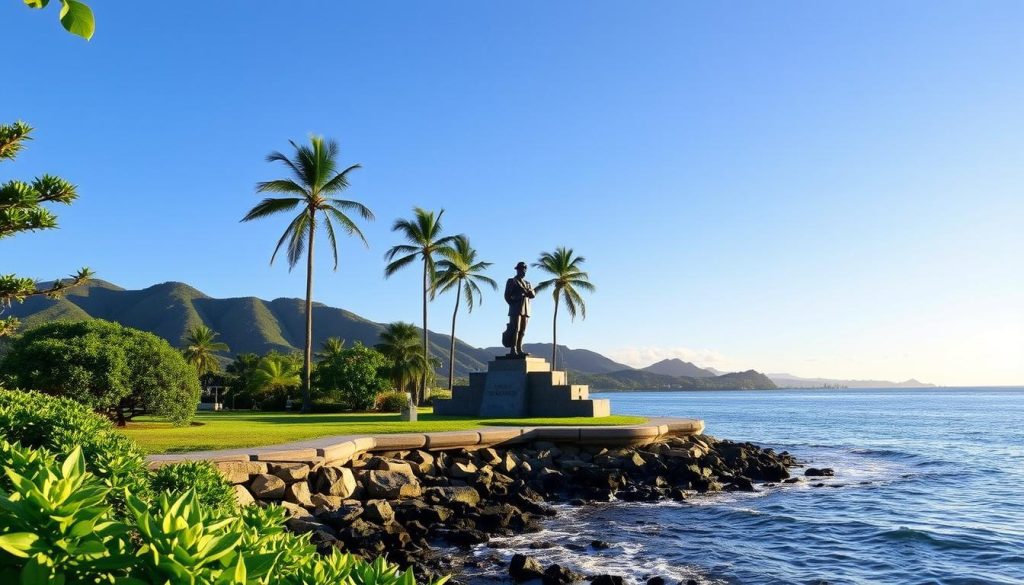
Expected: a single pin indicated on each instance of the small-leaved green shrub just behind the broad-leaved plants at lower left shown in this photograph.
(61, 426)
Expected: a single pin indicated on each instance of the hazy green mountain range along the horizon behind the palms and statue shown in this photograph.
(253, 325)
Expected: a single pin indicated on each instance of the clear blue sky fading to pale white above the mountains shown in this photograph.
(822, 189)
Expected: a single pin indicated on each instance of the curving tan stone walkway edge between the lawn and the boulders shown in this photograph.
(344, 447)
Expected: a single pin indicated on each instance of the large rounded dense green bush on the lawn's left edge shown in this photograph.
(113, 369)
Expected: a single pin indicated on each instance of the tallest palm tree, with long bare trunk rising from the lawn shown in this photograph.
(315, 179)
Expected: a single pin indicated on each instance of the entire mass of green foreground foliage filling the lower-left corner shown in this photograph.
(77, 507)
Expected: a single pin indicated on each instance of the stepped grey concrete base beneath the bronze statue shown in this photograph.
(522, 388)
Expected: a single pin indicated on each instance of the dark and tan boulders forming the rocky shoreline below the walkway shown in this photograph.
(410, 506)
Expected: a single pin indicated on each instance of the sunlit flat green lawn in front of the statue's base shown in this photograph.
(230, 431)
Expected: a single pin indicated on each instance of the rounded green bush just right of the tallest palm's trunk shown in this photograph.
(352, 378)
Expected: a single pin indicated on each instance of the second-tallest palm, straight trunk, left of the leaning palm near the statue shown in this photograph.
(424, 236)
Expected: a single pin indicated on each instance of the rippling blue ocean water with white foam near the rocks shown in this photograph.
(929, 488)
